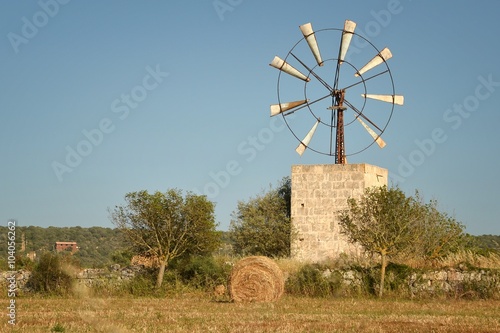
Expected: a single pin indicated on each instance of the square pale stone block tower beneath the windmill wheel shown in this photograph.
(319, 192)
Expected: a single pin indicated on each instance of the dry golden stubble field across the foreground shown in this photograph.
(198, 313)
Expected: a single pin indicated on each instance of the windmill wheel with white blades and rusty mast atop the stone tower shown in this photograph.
(336, 92)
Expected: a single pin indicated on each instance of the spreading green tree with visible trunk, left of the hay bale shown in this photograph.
(167, 225)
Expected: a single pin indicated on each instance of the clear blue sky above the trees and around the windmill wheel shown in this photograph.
(98, 99)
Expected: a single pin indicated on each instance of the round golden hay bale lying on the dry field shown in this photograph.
(256, 279)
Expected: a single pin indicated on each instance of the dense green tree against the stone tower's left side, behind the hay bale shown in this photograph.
(262, 225)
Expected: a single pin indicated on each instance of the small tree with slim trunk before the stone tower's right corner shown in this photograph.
(381, 221)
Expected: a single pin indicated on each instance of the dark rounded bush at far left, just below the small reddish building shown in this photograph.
(50, 276)
